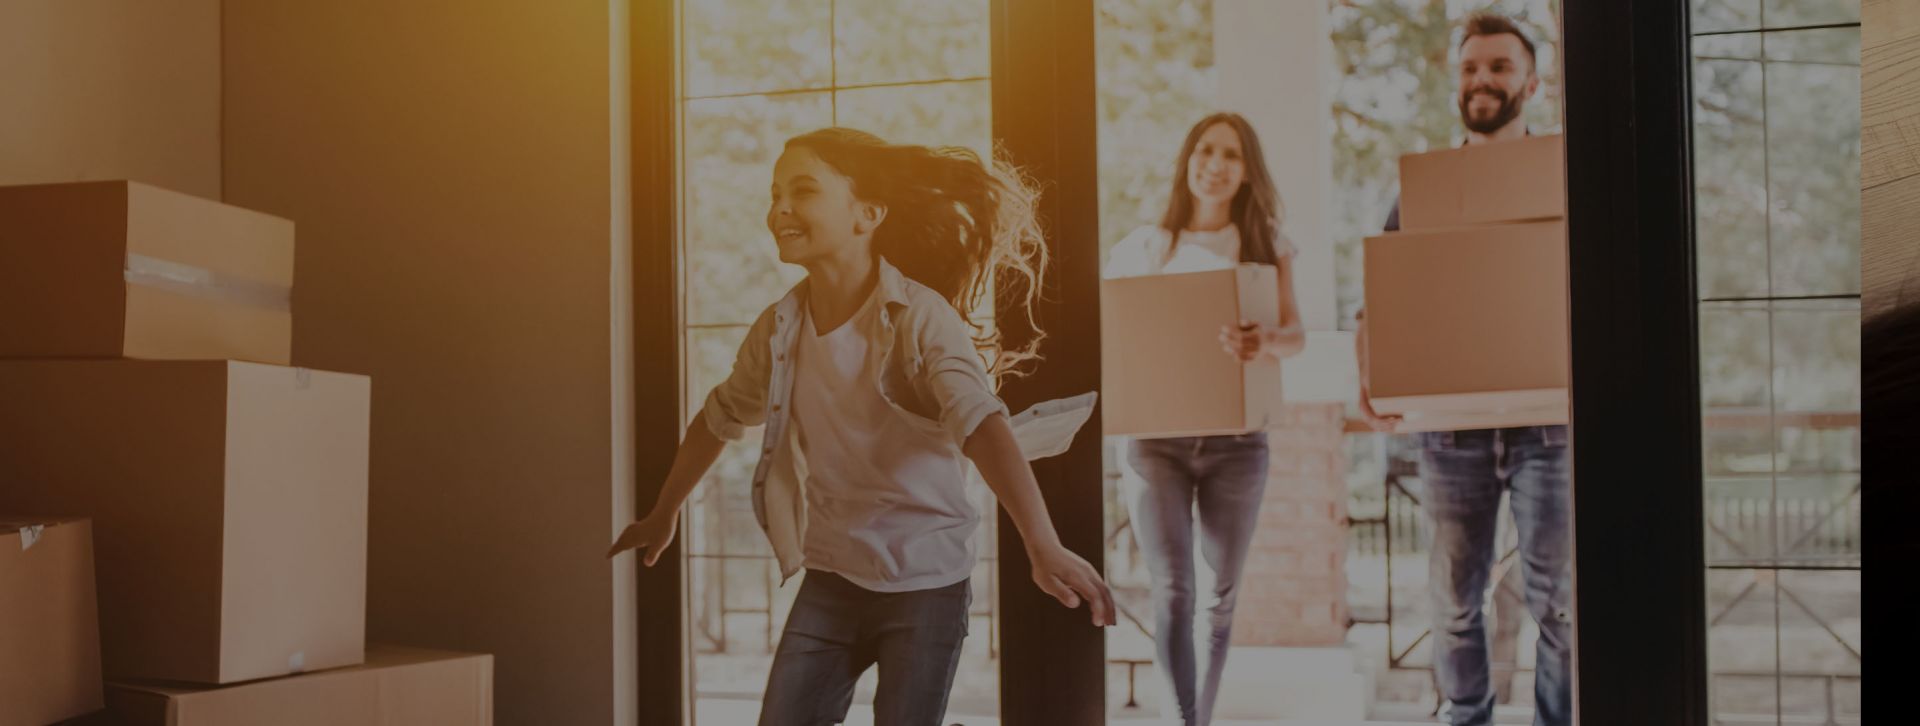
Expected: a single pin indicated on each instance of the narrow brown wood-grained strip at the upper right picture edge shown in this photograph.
(1890, 153)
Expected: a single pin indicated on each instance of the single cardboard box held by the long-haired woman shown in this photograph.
(1164, 372)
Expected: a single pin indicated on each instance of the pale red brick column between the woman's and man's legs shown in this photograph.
(1293, 593)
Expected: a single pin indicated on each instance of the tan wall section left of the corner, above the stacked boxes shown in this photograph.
(112, 89)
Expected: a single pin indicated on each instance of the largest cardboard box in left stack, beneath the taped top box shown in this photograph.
(229, 506)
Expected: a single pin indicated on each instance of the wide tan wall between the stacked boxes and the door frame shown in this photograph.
(450, 172)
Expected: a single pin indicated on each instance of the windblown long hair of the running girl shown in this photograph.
(955, 224)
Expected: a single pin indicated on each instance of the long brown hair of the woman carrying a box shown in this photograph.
(1257, 205)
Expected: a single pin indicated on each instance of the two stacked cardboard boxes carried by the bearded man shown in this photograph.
(1468, 302)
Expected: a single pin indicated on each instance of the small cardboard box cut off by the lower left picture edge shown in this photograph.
(49, 621)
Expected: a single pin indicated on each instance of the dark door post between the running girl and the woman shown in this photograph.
(1053, 669)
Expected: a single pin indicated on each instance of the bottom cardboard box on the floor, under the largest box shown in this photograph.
(396, 687)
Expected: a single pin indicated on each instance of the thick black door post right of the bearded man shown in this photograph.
(1637, 418)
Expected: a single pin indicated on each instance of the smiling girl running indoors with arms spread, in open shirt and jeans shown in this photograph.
(875, 397)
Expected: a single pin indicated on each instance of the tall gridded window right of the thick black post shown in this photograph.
(1781, 377)
